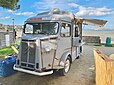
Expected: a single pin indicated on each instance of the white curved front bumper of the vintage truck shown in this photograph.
(33, 72)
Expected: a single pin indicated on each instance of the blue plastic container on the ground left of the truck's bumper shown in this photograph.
(6, 66)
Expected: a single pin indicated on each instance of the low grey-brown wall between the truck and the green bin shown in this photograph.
(91, 39)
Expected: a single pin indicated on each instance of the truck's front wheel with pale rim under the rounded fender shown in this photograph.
(66, 68)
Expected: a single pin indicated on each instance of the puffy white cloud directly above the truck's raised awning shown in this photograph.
(92, 11)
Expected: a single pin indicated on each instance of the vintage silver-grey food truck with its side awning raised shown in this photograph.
(51, 41)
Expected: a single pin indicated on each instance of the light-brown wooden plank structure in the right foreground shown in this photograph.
(104, 69)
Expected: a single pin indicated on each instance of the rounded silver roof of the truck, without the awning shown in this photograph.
(51, 15)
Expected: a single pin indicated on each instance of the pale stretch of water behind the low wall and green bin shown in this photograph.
(102, 33)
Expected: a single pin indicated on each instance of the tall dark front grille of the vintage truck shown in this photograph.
(28, 49)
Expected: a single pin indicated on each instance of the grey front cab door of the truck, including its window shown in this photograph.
(64, 40)
